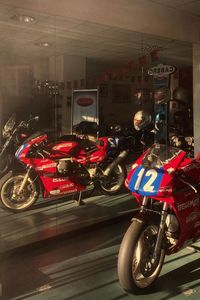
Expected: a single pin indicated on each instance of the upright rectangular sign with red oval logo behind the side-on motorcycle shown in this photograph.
(85, 106)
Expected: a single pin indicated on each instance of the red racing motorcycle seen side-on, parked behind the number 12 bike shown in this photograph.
(60, 168)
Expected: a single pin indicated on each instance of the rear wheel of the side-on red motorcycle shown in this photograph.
(114, 183)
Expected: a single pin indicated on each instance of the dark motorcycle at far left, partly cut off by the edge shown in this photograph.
(14, 134)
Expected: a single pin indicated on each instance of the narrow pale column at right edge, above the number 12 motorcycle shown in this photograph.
(196, 96)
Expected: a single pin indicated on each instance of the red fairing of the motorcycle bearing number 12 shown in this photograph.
(179, 178)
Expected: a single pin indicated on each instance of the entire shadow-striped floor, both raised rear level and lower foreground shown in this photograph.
(81, 264)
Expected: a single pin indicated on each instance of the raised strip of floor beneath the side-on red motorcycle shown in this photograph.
(49, 218)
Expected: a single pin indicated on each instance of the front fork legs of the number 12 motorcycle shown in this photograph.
(162, 225)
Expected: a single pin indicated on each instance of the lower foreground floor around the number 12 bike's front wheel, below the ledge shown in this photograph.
(84, 268)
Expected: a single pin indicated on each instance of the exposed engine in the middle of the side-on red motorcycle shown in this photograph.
(68, 167)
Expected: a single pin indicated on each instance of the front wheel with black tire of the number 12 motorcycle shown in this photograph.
(138, 274)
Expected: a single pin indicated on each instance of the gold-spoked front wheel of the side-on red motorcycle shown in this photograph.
(11, 198)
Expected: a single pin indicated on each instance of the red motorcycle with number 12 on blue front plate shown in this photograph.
(166, 184)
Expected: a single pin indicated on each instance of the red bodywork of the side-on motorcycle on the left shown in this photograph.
(44, 158)
